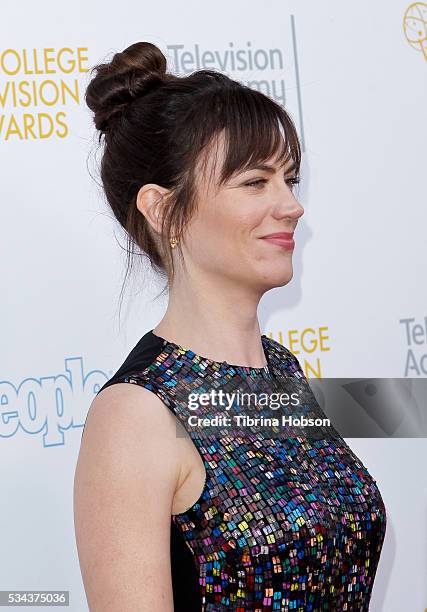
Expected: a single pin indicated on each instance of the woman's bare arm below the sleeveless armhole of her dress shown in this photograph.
(126, 475)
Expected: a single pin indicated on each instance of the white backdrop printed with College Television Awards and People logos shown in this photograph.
(353, 76)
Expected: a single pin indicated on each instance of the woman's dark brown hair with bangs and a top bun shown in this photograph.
(158, 128)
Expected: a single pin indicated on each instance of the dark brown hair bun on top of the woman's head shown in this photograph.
(131, 74)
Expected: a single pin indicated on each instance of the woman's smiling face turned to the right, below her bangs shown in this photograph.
(225, 235)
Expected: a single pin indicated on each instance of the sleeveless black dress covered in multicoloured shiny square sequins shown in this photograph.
(289, 523)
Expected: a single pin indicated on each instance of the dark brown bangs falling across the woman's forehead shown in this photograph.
(255, 129)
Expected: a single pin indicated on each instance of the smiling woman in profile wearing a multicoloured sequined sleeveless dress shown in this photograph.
(200, 172)
